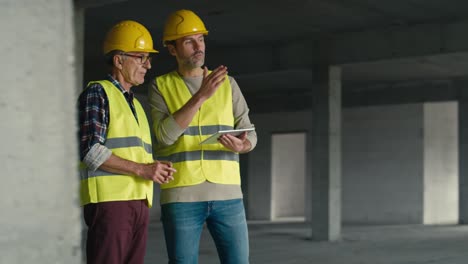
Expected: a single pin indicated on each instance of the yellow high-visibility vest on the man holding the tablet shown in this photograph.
(197, 163)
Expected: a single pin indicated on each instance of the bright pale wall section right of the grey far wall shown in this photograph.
(441, 163)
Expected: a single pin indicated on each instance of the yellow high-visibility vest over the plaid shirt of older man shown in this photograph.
(128, 139)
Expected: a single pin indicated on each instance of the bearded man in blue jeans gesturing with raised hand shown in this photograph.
(187, 106)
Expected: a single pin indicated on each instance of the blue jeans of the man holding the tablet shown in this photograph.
(183, 225)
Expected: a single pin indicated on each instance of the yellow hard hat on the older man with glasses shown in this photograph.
(128, 36)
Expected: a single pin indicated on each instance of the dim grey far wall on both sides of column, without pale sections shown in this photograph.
(382, 163)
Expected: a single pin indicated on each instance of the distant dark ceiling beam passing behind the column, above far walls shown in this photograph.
(361, 95)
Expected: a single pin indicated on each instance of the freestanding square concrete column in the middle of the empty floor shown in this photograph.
(324, 149)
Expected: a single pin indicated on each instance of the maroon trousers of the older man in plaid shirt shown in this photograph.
(117, 232)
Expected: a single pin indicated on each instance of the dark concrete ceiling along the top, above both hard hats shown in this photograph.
(246, 21)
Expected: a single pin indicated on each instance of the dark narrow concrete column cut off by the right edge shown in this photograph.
(463, 151)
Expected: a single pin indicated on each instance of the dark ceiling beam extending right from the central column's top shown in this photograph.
(400, 42)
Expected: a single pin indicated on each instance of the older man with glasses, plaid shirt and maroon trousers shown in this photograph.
(117, 167)
